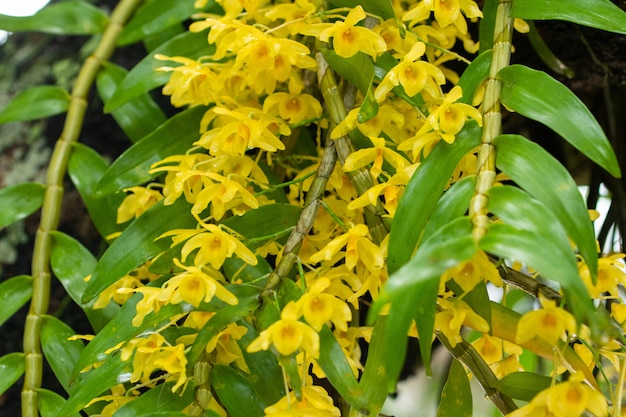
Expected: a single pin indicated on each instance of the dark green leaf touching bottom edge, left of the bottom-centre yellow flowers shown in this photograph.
(236, 393)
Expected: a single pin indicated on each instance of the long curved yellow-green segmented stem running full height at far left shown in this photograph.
(52, 205)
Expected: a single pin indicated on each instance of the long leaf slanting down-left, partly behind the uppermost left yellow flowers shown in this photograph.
(145, 77)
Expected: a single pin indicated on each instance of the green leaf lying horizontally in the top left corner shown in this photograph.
(70, 17)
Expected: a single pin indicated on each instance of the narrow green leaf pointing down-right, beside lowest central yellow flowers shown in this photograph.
(335, 365)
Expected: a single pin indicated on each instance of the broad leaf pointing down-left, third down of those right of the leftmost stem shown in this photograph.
(138, 243)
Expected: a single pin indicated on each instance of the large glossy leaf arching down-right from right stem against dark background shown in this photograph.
(540, 97)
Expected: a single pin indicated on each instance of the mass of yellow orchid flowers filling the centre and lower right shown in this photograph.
(267, 80)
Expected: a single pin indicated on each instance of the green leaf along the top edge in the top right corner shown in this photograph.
(599, 14)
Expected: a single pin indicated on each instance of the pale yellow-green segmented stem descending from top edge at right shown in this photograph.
(492, 119)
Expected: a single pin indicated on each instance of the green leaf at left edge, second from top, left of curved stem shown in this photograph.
(36, 103)
